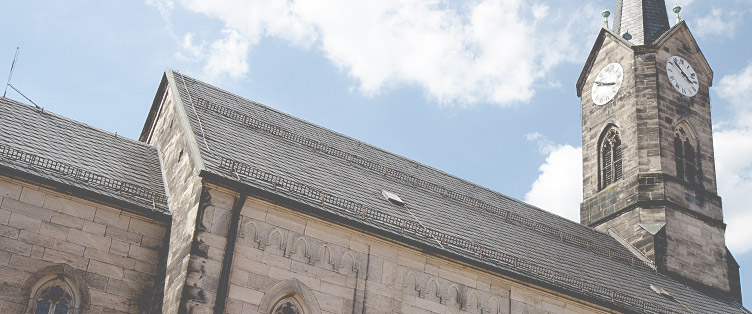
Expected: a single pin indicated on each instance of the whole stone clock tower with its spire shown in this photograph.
(648, 161)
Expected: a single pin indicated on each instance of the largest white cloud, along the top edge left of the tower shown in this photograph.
(490, 51)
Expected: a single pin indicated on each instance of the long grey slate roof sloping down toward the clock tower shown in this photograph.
(298, 160)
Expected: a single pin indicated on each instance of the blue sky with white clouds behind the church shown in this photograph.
(484, 90)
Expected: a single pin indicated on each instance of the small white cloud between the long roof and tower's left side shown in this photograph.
(558, 188)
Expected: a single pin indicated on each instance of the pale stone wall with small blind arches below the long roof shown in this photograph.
(280, 253)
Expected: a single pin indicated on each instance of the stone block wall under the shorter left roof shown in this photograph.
(113, 252)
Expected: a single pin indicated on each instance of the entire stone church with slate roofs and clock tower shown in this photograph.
(225, 205)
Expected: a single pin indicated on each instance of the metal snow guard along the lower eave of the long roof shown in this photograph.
(455, 243)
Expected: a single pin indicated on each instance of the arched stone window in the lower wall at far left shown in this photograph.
(57, 289)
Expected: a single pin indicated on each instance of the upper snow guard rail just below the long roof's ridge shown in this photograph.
(619, 253)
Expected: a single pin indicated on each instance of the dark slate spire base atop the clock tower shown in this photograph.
(641, 21)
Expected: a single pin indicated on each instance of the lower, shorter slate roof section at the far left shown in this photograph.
(41, 144)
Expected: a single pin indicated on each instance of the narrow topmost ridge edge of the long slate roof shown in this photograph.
(388, 152)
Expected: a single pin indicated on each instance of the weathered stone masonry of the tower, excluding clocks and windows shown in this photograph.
(647, 111)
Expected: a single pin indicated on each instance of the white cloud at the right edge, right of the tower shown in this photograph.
(733, 153)
